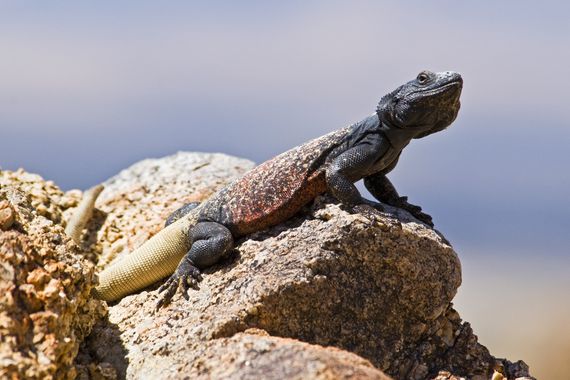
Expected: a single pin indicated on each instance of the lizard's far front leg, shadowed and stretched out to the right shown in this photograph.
(382, 189)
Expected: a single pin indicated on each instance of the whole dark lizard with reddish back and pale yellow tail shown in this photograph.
(198, 235)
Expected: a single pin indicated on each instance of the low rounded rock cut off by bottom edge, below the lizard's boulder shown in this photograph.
(245, 356)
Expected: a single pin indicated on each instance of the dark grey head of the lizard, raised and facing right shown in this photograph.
(428, 104)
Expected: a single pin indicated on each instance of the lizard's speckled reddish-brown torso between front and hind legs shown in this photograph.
(276, 189)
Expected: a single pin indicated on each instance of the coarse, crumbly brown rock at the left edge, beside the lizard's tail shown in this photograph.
(45, 304)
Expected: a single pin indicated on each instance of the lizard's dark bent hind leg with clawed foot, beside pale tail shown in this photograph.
(209, 241)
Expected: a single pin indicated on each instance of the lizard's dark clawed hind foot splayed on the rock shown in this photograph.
(186, 276)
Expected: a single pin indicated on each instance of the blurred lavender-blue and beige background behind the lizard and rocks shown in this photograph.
(88, 89)
